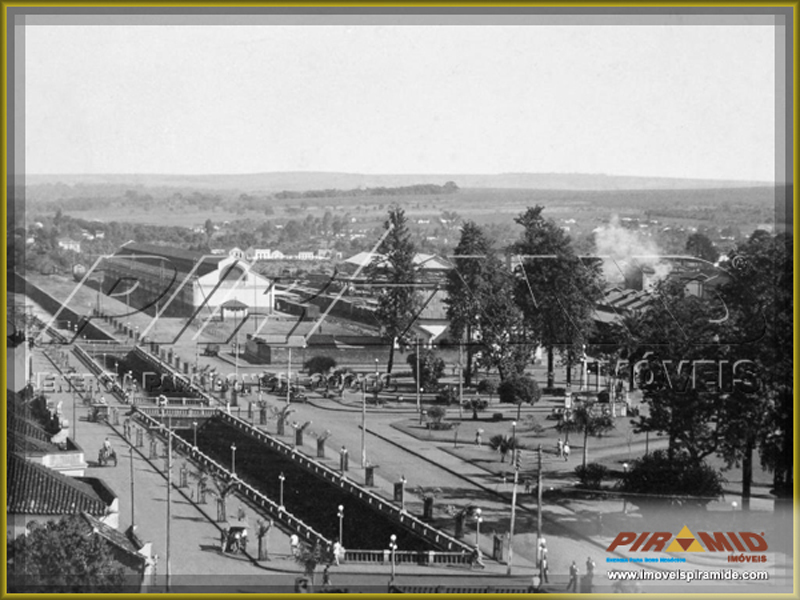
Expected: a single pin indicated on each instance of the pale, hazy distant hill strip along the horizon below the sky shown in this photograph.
(301, 181)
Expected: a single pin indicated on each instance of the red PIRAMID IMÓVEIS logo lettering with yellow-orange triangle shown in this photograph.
(686, 541)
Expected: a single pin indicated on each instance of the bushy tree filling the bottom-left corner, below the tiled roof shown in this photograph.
(62, 557)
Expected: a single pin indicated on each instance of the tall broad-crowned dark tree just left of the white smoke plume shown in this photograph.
(556, 290)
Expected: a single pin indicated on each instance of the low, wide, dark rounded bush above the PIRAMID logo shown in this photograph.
(677, 480)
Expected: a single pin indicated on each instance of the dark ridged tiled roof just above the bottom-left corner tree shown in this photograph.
(37, 490)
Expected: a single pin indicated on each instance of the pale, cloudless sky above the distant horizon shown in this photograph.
(672, 101)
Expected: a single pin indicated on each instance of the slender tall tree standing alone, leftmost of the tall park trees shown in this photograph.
(397, 302)
